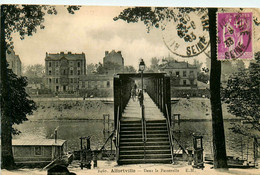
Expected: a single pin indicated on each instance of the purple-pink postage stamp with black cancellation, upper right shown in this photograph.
(235, 36)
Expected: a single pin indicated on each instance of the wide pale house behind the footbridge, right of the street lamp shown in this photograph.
(183, 75)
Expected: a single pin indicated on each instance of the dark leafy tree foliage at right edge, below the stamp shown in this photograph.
(242, 94)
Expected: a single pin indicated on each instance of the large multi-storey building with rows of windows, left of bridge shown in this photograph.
(63, 71)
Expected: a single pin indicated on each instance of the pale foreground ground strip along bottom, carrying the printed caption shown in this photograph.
(110, 167)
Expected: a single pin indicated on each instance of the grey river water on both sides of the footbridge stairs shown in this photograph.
(72, 130)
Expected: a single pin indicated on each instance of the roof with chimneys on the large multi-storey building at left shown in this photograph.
(69, 56)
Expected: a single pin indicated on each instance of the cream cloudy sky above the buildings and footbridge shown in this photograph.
(93, 31)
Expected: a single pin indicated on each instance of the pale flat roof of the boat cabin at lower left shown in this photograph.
(37, 142)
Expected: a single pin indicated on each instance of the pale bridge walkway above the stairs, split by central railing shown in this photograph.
(133, 110)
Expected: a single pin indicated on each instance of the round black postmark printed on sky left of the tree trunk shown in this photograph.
(187, 34)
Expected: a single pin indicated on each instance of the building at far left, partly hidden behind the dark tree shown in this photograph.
(14, 62)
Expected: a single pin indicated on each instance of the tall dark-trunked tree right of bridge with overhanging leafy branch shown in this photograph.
(152, 18)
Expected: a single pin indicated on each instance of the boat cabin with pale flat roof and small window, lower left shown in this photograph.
(38, 150)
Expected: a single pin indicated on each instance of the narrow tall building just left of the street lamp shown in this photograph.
(113, 62)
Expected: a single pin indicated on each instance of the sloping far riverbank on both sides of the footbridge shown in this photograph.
(93, 109)
